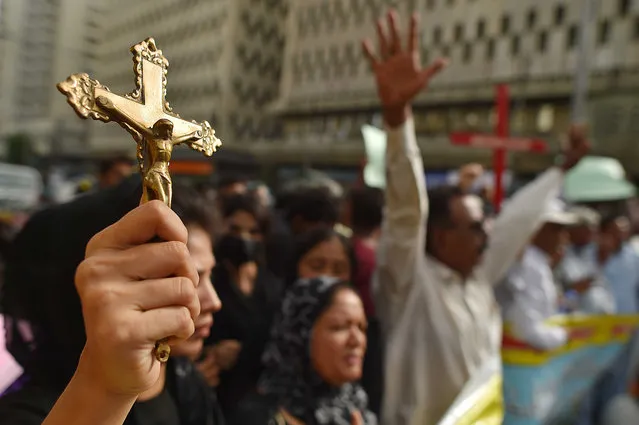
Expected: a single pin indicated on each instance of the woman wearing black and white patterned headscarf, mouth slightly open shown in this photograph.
(314, 358)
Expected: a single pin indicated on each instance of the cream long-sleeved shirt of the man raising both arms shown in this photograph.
(439, 329)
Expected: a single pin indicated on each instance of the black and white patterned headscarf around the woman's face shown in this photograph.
(289, 376)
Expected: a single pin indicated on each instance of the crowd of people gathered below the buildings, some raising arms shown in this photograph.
(277, 315)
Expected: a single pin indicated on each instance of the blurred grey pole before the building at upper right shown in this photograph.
(582, 71)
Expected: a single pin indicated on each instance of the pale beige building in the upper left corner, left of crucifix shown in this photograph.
(42, 42)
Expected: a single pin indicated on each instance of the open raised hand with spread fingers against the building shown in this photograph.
(399, 73)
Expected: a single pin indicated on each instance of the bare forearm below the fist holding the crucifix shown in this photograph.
(82, 403)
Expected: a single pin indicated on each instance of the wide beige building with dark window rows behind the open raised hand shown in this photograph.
(327, 91)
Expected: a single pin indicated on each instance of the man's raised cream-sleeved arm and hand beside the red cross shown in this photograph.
(522, 216)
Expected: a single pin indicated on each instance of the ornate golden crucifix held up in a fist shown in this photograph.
(145, 114)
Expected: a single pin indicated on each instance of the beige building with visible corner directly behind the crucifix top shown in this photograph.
(224, 58)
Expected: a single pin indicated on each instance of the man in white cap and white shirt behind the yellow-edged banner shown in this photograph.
(535, 296)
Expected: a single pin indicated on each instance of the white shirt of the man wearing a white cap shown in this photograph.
(535, 299)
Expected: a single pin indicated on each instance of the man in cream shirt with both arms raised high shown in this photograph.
(435, 298)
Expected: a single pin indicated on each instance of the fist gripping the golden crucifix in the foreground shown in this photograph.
(134, 293)
